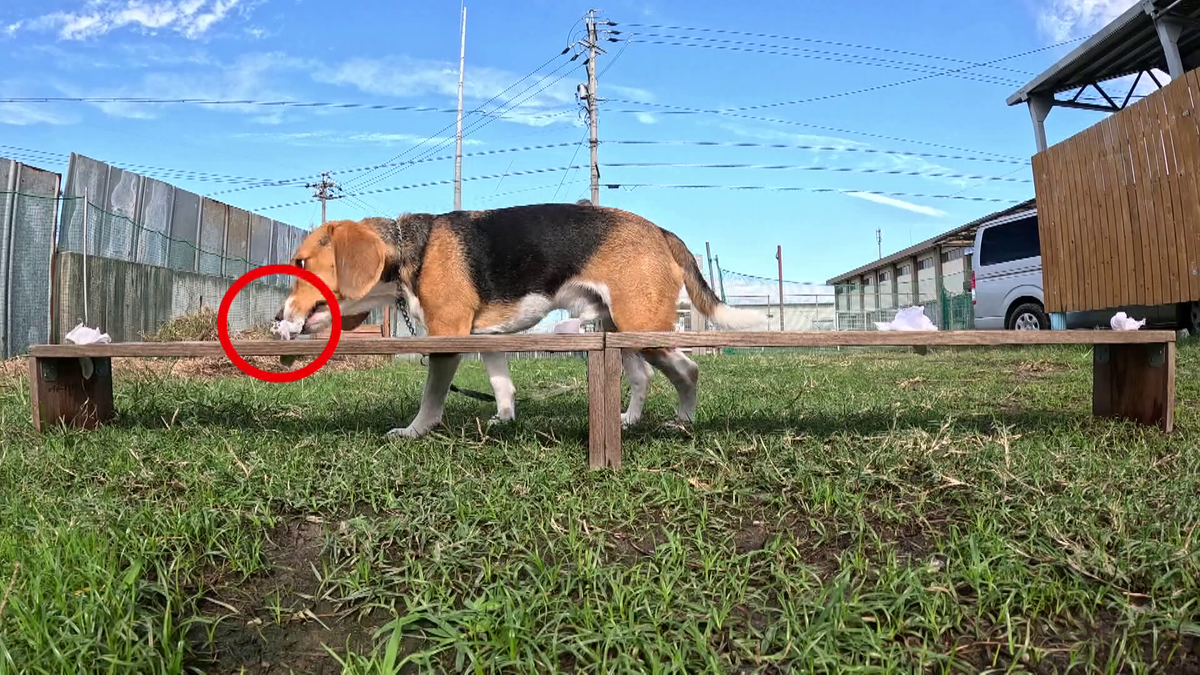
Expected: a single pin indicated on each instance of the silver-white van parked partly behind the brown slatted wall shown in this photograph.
(1006, 284)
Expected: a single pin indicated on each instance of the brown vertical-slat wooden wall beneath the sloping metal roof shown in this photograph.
(1119, 206)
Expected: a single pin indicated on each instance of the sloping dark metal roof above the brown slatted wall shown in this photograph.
(1127, 46)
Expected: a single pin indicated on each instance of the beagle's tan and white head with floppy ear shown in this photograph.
(350, 258)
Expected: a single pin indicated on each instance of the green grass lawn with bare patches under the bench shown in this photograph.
(838, 511)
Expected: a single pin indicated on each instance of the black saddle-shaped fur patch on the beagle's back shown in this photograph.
(521, 250)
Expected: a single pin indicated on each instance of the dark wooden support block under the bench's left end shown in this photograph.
(61, 393)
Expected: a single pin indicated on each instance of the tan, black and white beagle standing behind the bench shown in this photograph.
(502, 272)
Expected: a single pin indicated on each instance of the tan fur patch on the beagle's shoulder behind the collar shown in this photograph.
(448, 297)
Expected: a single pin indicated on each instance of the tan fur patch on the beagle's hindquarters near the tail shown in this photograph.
(644, 280)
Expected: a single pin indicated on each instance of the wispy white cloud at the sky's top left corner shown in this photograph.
(190, 19)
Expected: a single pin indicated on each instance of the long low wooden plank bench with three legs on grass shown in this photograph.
(1133, 372)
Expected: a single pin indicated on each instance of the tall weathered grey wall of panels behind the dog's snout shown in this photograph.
(157, 252)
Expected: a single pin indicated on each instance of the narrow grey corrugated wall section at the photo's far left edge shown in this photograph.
(28, 217)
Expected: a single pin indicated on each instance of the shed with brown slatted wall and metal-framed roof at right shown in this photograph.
(1119, 204)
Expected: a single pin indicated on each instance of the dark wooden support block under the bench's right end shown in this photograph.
(1135, 383)
